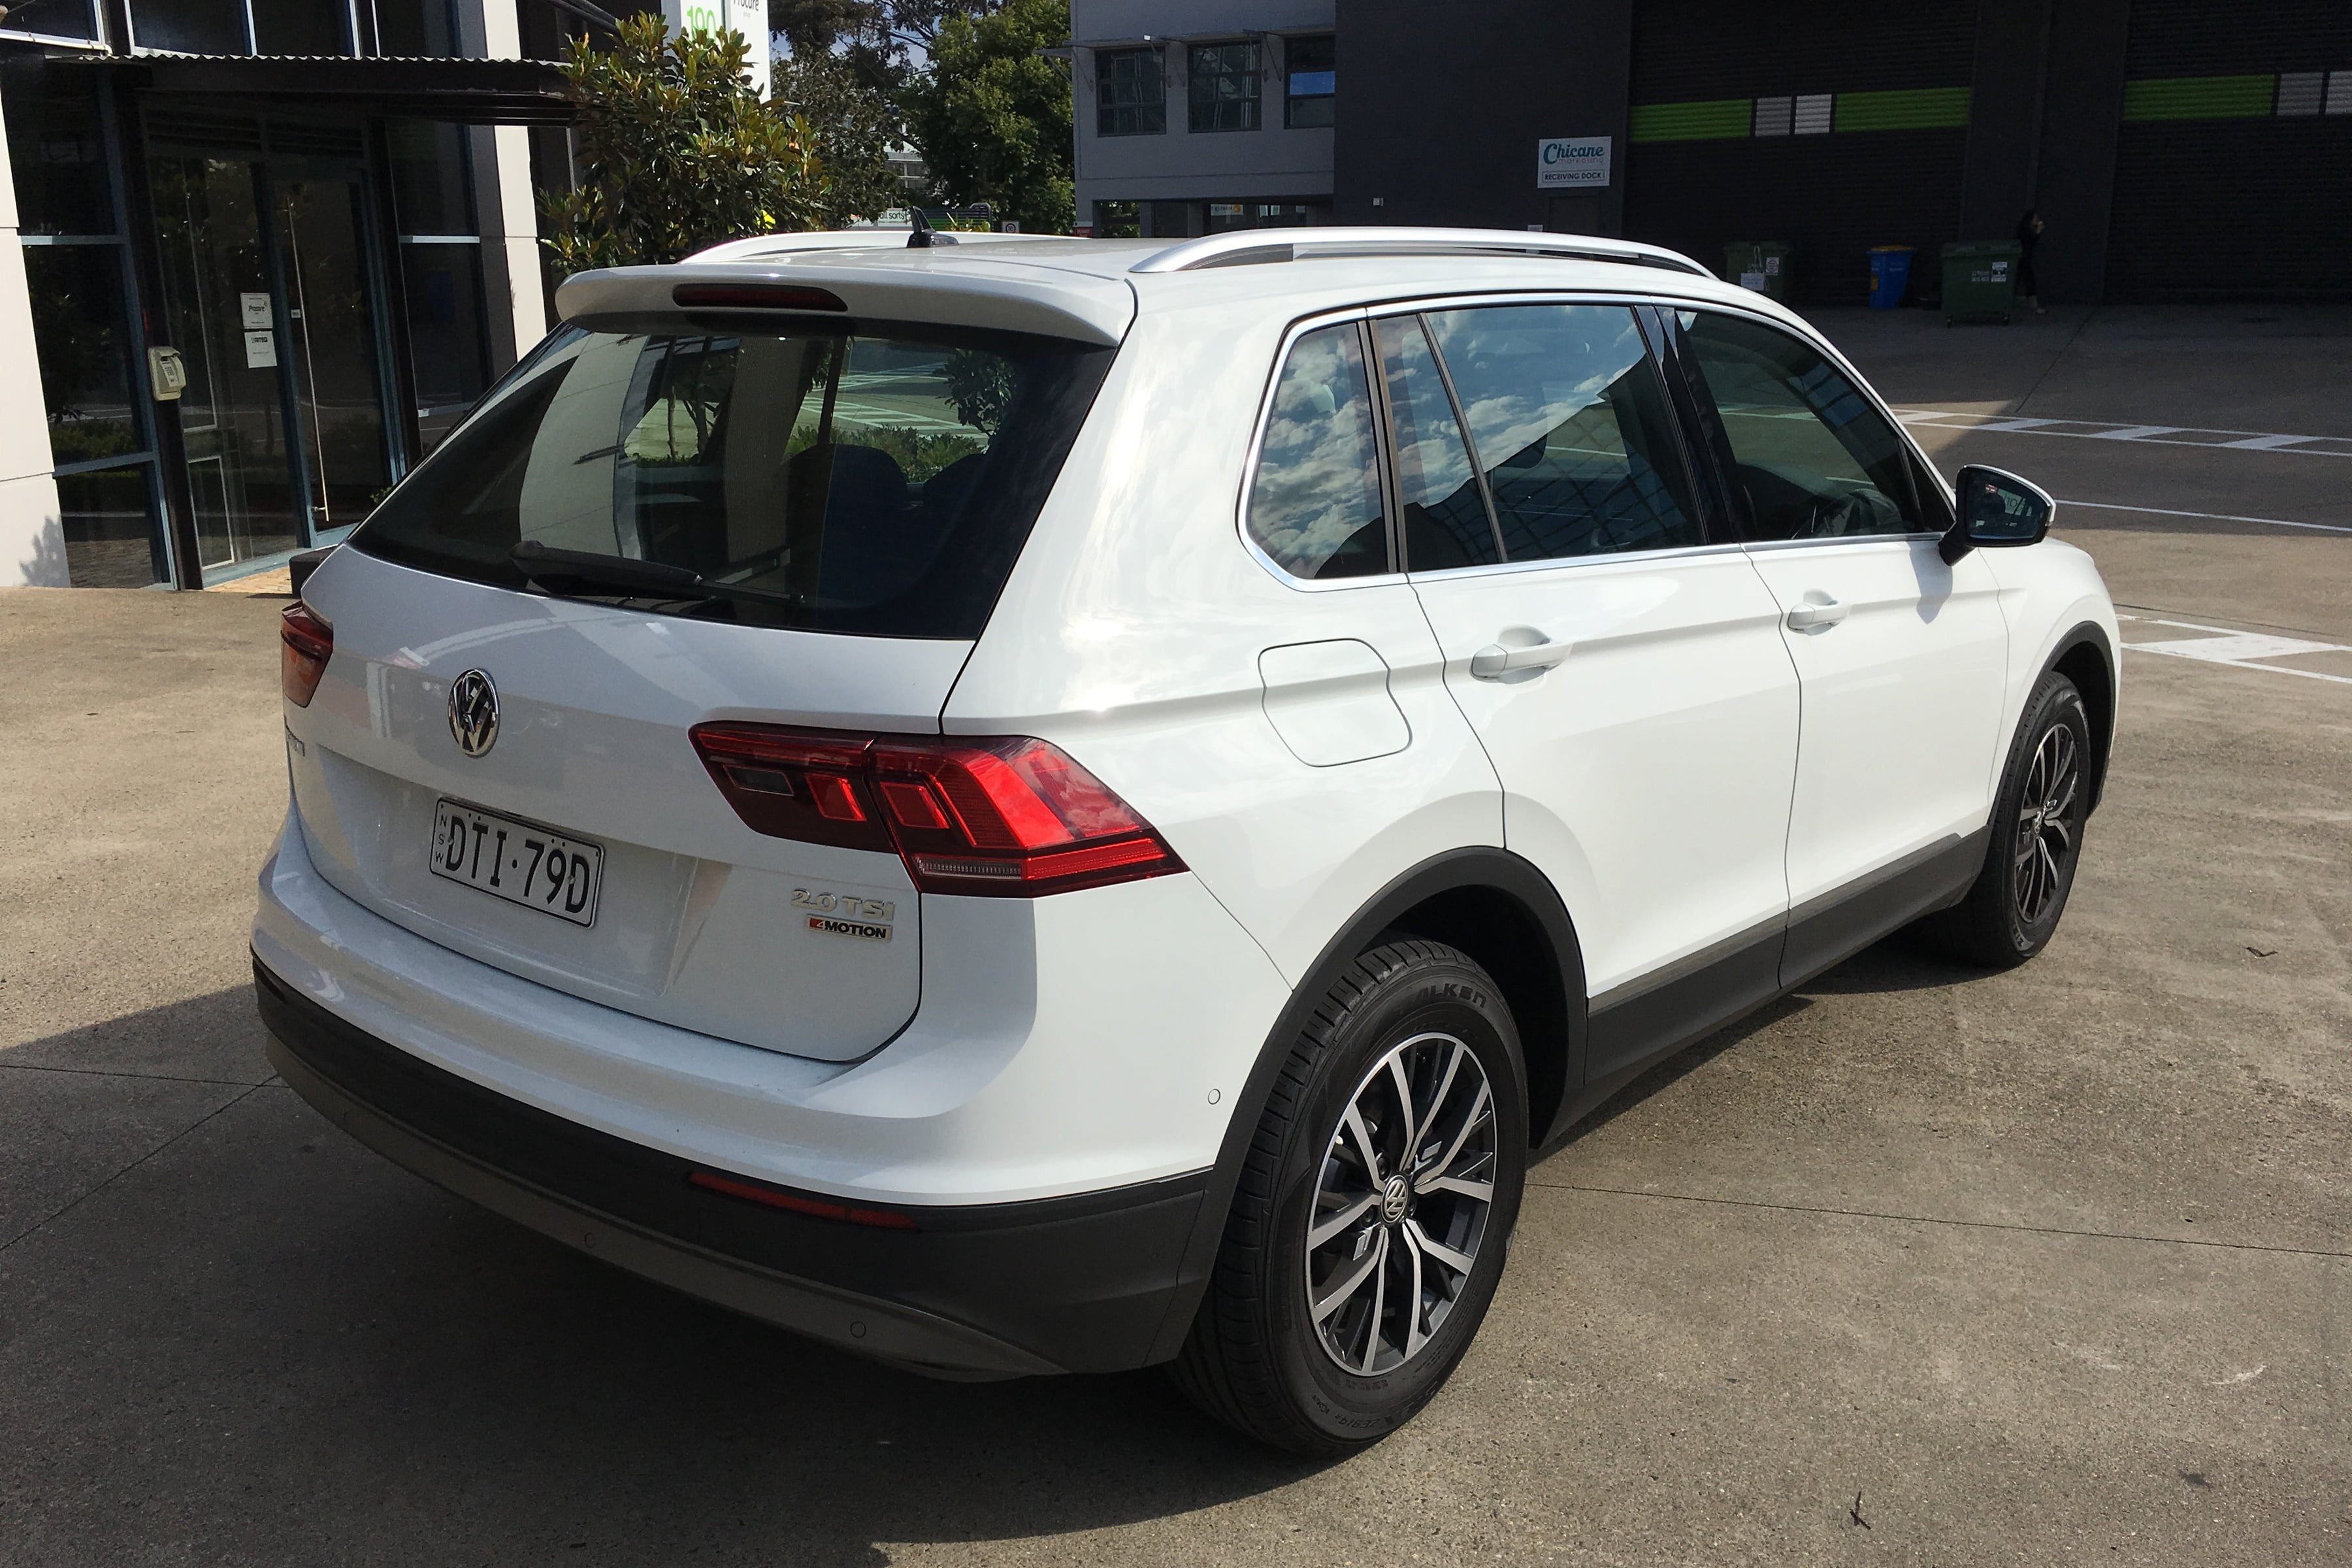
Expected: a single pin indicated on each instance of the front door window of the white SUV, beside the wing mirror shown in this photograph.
(1815, 460)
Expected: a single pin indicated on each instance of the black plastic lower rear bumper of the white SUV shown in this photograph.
(973, 1292)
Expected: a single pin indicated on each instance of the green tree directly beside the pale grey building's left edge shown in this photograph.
(994, 119)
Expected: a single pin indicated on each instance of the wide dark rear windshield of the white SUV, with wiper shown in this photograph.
(860, 481)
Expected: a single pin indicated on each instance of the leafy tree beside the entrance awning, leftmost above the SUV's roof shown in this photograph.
(676, 152)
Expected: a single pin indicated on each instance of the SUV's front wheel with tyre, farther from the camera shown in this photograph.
(2038, 817)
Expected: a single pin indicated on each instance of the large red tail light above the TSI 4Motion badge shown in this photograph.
(998, 817)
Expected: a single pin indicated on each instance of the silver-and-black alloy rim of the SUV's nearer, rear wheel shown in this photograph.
(1401, 1205)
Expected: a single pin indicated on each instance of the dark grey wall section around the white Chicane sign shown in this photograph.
(1443, 107)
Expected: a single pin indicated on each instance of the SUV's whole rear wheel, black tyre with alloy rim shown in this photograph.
(1259, 1358)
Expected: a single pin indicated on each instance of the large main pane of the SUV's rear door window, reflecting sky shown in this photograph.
(1568, 420)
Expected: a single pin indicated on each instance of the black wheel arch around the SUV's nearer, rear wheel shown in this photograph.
(1490, 904)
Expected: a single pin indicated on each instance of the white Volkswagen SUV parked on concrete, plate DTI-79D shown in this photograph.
(1067, 805)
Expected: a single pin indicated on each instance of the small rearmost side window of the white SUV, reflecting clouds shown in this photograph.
(1316, 504)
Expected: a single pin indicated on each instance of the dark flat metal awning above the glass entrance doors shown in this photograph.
(467, 91)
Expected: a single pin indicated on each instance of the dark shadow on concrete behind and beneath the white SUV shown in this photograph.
(265, 1308)
